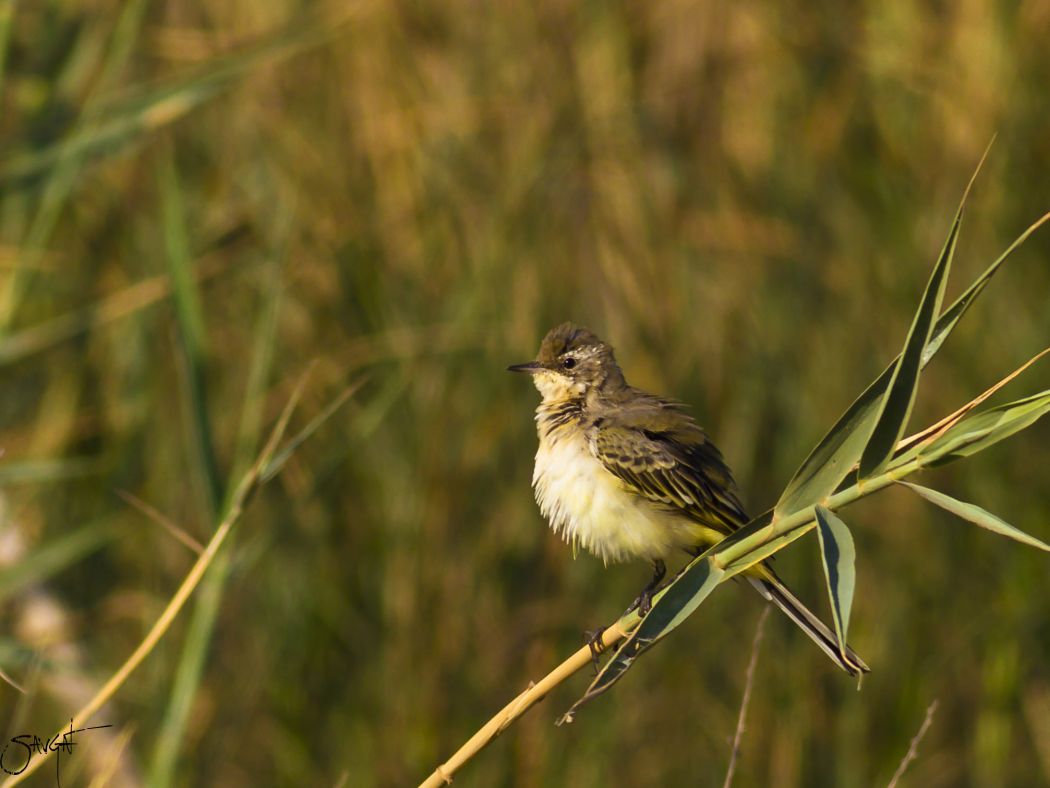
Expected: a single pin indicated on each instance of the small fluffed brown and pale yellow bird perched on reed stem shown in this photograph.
(626, 474)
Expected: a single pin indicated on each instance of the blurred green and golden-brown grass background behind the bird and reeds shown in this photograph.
(198, 201)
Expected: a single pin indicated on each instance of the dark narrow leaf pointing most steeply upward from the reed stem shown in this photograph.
(896, 406)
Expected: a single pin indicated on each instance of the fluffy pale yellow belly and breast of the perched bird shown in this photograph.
(591, 508)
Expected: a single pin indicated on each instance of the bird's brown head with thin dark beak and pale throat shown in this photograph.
(572, 363)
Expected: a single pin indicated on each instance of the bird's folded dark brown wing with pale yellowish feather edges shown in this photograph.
(662, 454)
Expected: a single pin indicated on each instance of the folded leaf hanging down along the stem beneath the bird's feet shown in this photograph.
(673, 607)
